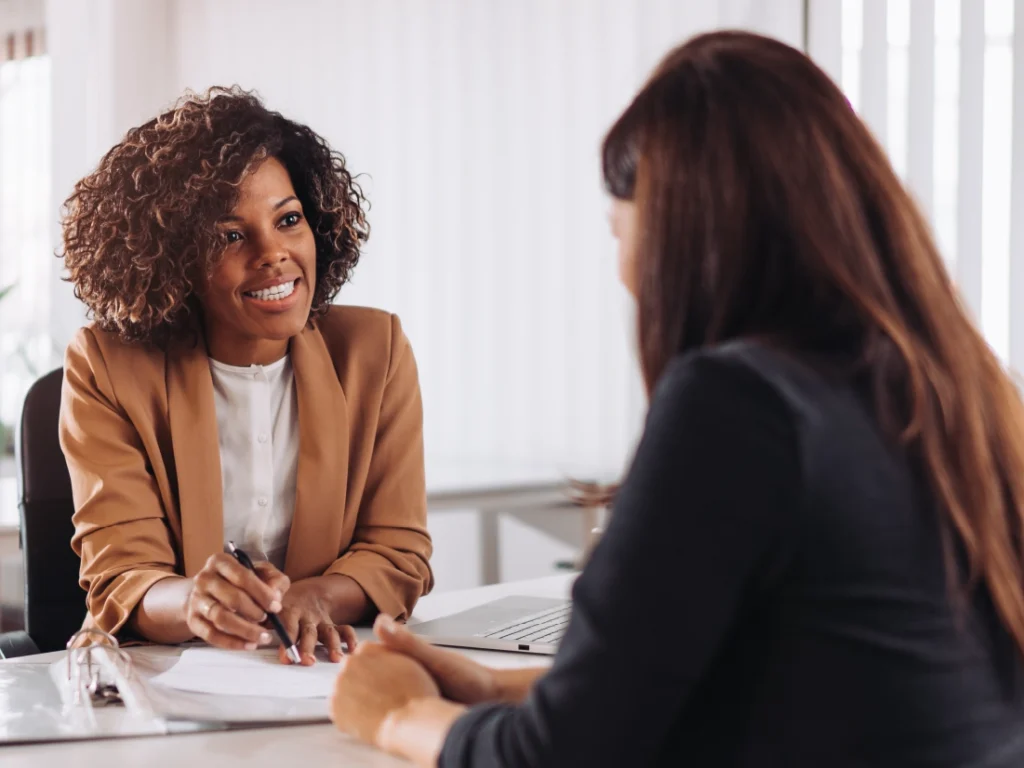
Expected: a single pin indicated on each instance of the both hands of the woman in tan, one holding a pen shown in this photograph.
(229, 605)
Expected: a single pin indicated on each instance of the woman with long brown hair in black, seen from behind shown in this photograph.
(817, 557)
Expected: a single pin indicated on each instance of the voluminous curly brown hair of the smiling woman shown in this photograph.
(140, 232)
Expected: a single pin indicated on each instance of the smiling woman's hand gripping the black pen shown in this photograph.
(229, 604)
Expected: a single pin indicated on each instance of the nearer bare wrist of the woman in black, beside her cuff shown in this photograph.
(417, 732)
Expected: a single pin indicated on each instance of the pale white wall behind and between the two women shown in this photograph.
(478, 125)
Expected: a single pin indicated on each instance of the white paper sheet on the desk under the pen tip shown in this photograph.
(242, 673)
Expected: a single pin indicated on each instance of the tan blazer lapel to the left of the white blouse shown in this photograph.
(197, 453)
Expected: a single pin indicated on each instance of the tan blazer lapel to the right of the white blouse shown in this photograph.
(323, 472)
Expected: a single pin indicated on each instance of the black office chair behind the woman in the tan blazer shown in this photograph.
(55, 605)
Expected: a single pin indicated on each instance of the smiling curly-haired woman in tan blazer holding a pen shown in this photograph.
(220, 397)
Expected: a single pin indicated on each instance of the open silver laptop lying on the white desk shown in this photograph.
(523, 625)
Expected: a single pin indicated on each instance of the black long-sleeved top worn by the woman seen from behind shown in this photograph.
(771, 592)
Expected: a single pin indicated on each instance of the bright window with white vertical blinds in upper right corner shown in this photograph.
(934, 79)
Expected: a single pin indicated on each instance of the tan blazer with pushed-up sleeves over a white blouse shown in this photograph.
(139, 429)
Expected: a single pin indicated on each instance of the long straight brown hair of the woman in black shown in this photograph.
(767, 209)
